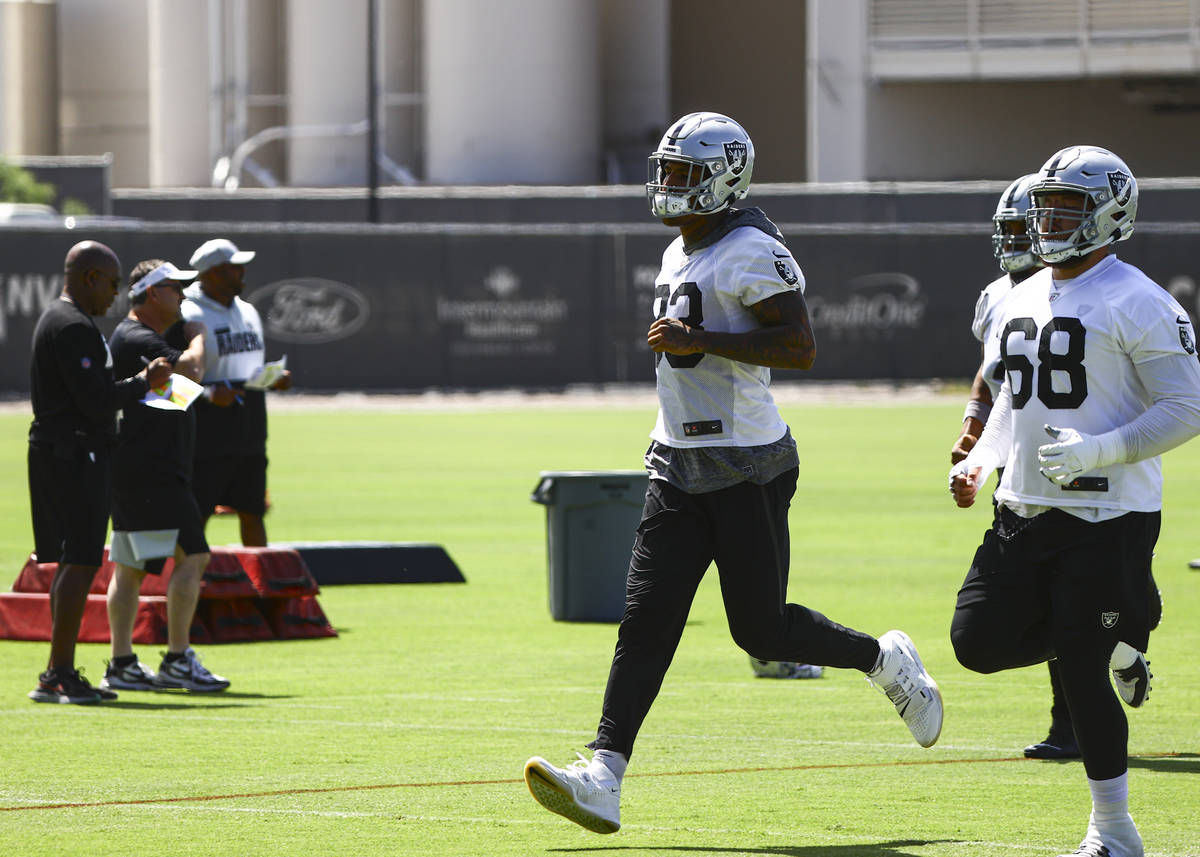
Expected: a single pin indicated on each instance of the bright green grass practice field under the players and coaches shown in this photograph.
(407, 734)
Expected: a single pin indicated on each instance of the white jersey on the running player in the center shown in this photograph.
(706, 400)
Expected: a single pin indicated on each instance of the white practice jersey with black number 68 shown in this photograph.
(1072, 352)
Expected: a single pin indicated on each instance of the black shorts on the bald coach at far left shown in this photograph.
(70, 490)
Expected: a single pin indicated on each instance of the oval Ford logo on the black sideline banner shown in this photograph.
(310, 310)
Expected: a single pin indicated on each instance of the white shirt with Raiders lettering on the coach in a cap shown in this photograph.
(235, 349)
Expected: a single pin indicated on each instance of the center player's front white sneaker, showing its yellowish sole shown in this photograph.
(586, 794)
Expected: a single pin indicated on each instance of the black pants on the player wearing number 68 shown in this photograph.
(1058, 586)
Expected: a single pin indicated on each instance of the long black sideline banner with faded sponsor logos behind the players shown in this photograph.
(461, 307)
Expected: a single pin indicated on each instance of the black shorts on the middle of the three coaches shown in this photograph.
(146, 499)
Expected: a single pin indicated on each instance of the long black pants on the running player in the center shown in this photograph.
(745, 531)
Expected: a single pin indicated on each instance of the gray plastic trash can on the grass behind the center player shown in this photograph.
(591, 520)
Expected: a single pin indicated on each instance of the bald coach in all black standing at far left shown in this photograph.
(75, 401)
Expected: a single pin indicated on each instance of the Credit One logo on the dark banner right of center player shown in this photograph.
(871, 307)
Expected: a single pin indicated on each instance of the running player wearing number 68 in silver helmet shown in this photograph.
(1101, 380)
